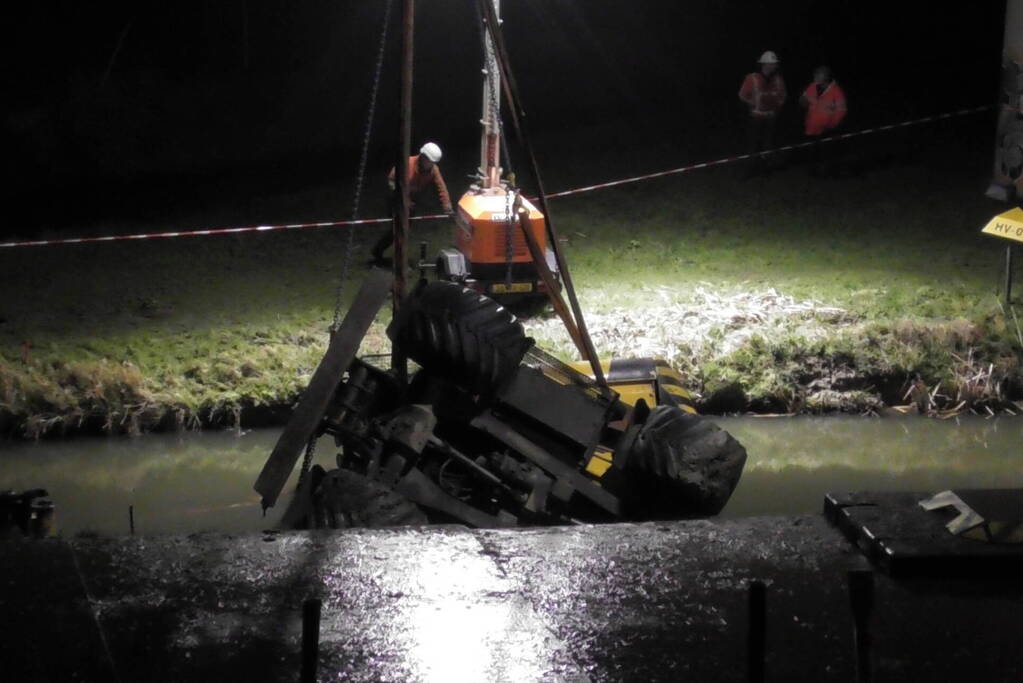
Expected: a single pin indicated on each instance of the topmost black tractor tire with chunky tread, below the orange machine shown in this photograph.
(468, 338)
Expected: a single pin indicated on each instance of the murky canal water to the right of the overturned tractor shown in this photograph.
(794, 463)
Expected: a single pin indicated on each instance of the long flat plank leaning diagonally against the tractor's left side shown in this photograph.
(306, 419)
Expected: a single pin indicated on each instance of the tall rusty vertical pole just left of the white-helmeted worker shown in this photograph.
(398, 358)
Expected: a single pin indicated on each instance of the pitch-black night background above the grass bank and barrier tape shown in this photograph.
(274, 95)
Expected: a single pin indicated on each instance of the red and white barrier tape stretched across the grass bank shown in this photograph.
(579, 191)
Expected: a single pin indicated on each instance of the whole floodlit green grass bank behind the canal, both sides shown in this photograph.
(780, 294)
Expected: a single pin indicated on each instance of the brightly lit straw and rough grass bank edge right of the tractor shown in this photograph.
(770, 353)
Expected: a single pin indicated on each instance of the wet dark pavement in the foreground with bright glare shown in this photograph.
(642, 603)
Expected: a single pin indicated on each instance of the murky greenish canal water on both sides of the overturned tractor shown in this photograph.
(197, 482)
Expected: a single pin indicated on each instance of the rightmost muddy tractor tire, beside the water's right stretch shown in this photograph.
(682, 466)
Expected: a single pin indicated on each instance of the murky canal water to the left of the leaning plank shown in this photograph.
(176, 483)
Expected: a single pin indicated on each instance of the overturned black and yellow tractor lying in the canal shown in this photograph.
(493, 432)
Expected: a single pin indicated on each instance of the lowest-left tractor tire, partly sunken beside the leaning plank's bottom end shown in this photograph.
(345, 500)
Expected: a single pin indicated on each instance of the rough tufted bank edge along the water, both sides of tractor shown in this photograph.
(760, 352)
